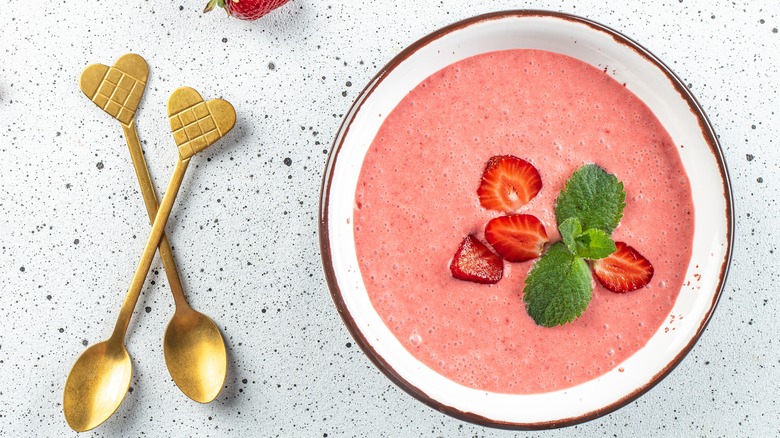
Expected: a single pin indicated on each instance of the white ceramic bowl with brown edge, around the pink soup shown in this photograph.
(646, 77)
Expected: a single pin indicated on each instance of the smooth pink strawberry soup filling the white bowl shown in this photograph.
(416, 200)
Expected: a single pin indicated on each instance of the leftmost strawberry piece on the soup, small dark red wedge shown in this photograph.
(474, 261)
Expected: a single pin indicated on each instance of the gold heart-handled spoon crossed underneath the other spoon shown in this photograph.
(193, 345)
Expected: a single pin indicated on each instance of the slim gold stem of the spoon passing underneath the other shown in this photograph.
(150, 200)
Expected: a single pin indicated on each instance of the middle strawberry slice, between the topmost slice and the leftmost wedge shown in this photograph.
(517, 237)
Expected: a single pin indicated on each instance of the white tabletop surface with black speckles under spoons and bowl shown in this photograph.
(245, 227)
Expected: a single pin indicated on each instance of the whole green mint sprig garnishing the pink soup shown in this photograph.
(559, 287)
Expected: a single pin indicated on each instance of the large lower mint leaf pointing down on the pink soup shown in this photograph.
(558, 287)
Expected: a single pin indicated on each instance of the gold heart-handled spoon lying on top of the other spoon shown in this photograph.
(100, 378)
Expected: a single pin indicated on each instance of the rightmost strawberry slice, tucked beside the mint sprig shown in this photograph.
(623, 271)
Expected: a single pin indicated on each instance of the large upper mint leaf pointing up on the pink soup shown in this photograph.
(593, 196)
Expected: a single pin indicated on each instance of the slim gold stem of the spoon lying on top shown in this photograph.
(155, 236)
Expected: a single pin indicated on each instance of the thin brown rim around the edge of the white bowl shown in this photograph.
(379, 361)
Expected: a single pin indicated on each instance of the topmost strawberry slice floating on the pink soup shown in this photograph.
(508, 183)
